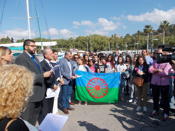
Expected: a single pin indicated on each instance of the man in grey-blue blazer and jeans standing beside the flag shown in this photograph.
(66, 89)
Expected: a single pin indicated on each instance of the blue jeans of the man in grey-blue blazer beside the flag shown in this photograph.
(64, 96)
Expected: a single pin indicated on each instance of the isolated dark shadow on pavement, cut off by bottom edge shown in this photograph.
(90, 126)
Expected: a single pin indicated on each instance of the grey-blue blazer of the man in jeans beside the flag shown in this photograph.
(65, 71)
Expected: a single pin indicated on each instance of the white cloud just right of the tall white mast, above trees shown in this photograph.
(62, 33)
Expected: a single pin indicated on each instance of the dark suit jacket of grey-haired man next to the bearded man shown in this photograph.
(49, 81)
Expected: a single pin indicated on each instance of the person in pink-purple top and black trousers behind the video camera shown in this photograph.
(160, 82)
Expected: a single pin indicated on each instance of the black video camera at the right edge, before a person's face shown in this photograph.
(161, 58)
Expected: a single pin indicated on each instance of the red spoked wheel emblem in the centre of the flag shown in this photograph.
(97, 87)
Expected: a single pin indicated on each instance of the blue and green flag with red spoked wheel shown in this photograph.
(97, 87)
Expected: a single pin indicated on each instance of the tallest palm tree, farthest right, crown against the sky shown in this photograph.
(164, 25)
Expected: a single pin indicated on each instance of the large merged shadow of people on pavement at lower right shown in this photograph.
(131, 121)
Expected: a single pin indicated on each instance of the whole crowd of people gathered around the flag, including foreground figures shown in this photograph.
(53, 74)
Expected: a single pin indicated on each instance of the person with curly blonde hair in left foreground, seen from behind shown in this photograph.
(16, 85)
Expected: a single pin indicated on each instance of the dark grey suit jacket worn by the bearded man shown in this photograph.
(38, 89)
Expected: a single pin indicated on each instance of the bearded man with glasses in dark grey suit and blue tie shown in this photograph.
(28, 59)
